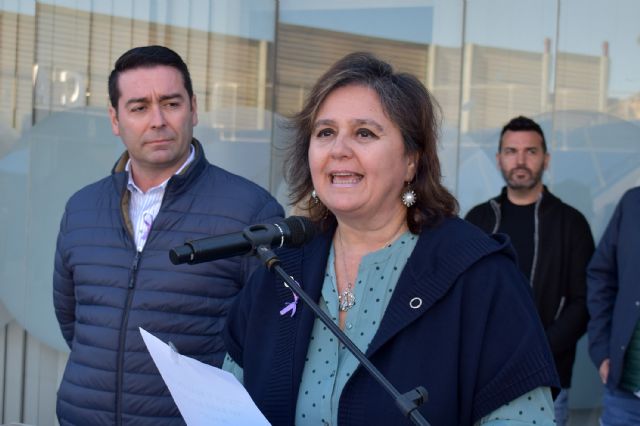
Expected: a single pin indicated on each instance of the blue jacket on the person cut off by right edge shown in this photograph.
(613, 281)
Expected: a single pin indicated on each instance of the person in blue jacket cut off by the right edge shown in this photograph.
(614, 305)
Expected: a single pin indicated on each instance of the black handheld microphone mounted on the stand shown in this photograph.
(293, 231)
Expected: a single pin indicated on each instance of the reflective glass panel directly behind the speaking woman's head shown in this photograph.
(420, 37)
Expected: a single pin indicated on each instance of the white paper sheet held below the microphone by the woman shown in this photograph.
(205, 395)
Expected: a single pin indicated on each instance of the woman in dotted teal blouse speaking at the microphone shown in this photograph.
(430, 299)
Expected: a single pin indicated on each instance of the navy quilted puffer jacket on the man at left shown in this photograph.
(104, 289)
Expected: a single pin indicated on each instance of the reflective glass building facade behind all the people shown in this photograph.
(572, 65)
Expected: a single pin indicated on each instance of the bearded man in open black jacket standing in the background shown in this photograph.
(552, 239)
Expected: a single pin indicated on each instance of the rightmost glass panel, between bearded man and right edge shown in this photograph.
(596, 132)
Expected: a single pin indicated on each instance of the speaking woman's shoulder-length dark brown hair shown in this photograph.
(408, 104)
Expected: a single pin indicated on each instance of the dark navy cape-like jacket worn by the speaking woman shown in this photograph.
(475, 343)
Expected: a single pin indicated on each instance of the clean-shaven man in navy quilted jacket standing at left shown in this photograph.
(112, 268)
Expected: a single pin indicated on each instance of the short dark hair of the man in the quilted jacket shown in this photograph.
(147, 57)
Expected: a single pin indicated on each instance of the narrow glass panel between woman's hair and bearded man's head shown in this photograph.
(508, 71)
